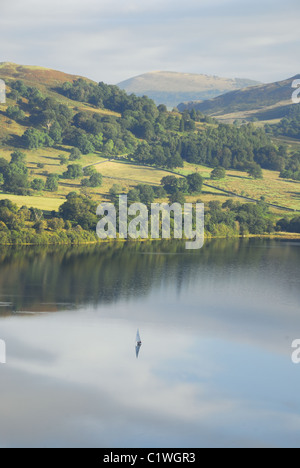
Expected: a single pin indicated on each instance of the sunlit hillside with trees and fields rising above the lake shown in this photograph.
(67, 143)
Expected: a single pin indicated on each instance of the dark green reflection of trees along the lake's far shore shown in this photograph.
(48, 279)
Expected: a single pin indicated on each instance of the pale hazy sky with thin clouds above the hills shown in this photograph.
(112, 40)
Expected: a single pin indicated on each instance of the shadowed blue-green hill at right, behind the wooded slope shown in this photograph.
(262, 101)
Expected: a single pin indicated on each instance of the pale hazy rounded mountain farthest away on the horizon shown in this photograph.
(170, 88)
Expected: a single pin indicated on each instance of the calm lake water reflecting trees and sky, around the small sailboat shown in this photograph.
(215, 366)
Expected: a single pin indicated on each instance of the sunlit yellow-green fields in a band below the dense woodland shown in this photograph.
(282, 192)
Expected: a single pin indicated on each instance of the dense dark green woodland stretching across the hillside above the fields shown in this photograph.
(146, 133)
